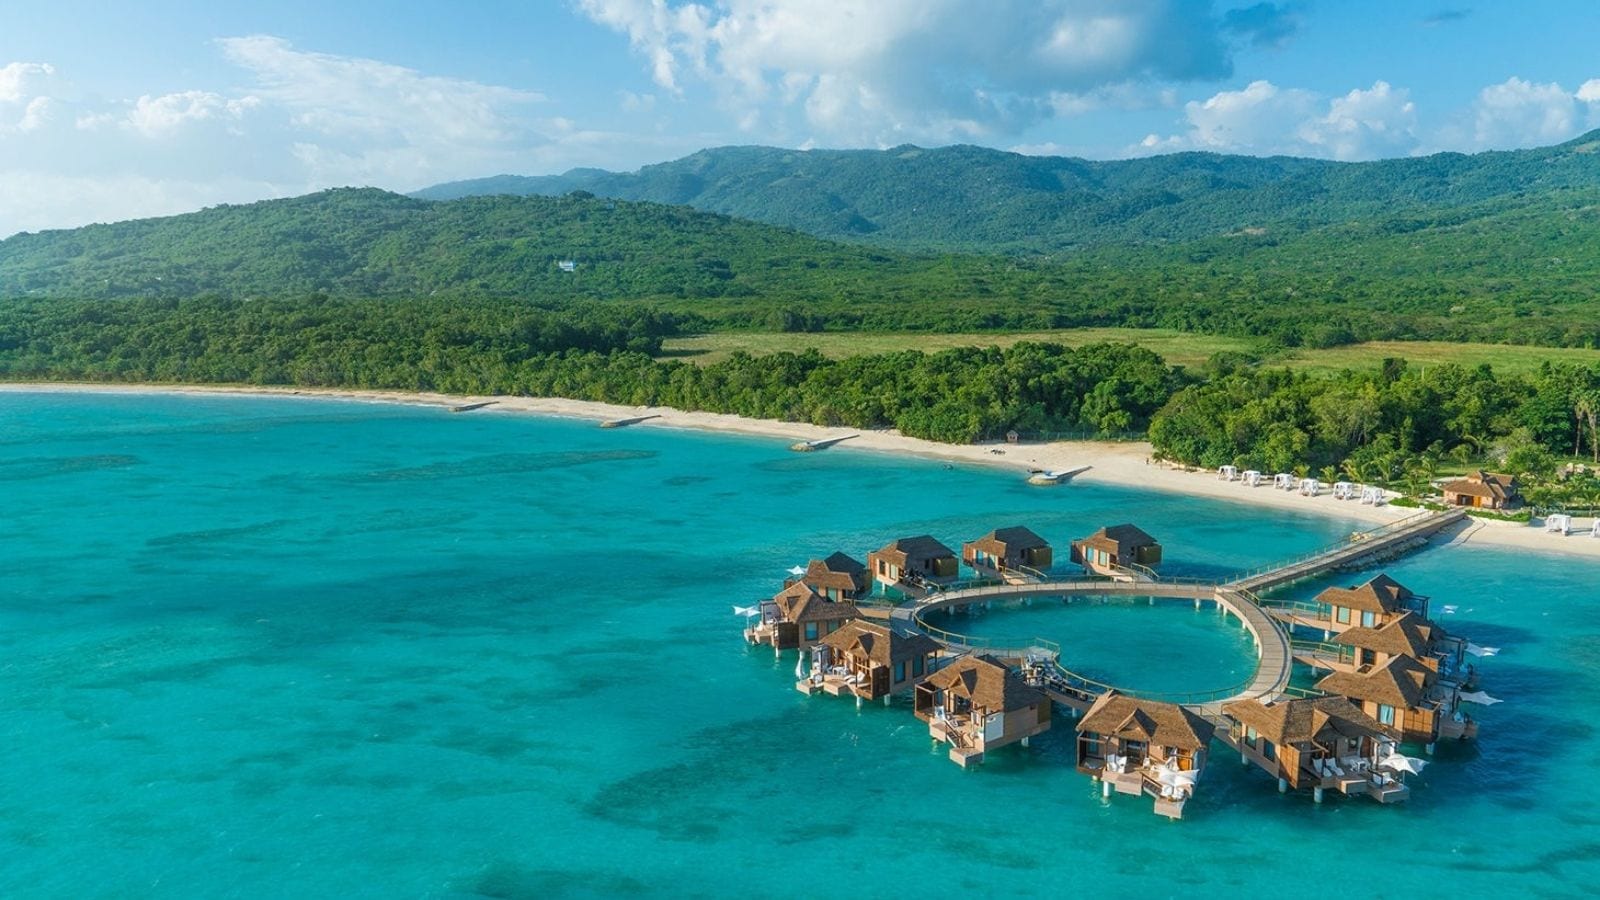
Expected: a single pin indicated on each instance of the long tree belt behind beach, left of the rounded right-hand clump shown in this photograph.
(586, 353)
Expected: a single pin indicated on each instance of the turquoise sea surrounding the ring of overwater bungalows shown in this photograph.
(308, 649)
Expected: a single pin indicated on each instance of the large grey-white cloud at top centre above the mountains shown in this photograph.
(886, 71)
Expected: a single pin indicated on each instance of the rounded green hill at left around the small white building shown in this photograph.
(367, 243)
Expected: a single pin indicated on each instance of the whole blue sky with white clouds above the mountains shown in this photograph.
(121, 111)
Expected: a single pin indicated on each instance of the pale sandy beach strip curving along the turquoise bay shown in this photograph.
(1118, 464)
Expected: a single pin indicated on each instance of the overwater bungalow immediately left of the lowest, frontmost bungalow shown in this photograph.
(978, 705)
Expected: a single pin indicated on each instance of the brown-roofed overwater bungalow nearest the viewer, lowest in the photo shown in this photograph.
(1143, 747)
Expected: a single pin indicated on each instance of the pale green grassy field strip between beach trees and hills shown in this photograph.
(1177, 348)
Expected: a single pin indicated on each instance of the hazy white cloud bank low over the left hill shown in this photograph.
(302, 123)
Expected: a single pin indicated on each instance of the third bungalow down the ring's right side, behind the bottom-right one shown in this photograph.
(1409, 697)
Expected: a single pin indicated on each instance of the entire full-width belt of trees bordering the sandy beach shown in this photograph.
(1391, 425)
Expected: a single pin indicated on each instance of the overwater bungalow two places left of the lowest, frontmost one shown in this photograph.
(870, 662)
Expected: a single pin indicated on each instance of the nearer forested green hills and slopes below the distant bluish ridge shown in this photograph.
(1506, 271)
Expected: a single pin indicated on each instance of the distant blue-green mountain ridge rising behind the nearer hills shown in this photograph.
(983, 201)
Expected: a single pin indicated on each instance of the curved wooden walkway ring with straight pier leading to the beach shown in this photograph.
(1238, 598)
